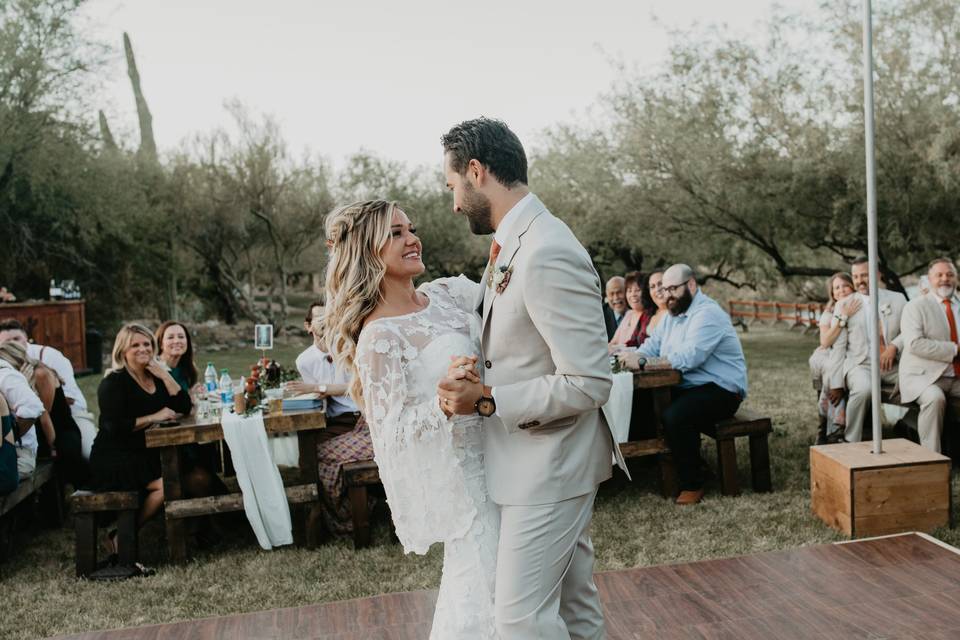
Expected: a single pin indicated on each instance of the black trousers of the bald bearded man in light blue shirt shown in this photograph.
(691, 411)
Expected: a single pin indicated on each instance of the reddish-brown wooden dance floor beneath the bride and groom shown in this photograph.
(905, 586)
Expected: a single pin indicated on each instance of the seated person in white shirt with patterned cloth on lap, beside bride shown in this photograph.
(348, 439)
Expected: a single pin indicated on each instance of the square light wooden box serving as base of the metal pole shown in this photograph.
(906, 488)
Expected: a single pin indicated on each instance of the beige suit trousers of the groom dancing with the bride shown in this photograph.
(545, 588)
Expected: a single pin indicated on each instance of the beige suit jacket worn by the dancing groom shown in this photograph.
(544, 352)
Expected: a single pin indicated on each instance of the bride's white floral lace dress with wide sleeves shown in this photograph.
(432, 466)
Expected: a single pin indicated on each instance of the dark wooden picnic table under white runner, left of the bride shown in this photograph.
(308, 491)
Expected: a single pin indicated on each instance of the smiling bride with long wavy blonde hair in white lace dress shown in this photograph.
(399, 341)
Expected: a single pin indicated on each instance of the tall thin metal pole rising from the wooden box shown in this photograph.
(872, 223)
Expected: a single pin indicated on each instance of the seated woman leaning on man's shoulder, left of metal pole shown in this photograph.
(842, 304)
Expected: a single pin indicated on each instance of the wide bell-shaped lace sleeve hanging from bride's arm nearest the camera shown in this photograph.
(413, 445)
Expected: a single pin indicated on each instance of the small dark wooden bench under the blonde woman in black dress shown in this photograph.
(86, 505)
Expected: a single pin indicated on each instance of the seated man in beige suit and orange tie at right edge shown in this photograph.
(929, 367)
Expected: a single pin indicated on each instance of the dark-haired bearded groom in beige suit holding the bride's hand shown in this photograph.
(546, 373)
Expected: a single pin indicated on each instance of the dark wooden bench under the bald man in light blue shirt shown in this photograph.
(757, 428)
